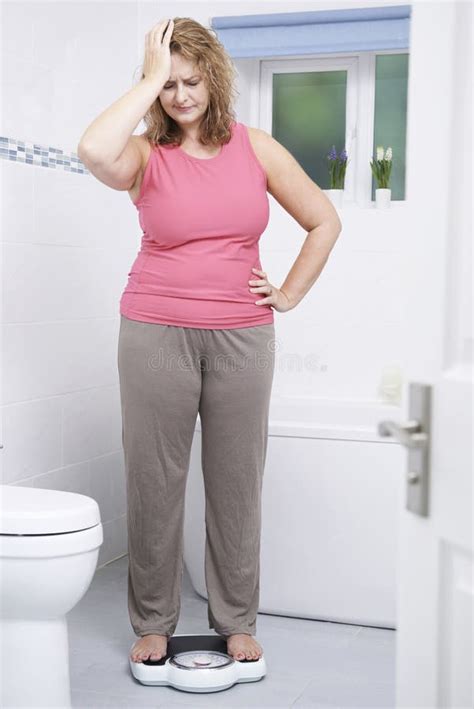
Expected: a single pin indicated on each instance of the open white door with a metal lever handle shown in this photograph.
(435, 556)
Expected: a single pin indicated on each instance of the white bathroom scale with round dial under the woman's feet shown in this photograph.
(197, 663)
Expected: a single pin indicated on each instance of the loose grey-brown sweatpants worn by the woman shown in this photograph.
(167, 375)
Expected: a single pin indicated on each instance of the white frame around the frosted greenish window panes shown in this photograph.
(360, 110)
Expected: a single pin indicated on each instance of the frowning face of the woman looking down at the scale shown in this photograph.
(185, 87)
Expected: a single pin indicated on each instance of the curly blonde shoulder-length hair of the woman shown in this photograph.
(199, 45)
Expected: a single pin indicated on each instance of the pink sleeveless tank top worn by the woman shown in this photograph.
(202, 219)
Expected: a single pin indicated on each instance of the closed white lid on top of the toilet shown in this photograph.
(27, 510)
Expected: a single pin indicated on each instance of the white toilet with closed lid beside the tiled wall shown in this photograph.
(49, 546)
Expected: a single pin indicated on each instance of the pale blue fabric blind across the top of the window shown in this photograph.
(321, 32)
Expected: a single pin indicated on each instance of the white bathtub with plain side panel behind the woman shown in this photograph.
(332, 494)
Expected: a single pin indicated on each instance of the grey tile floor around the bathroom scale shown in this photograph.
(309, 663)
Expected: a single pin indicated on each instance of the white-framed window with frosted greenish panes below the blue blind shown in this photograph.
(352, 102)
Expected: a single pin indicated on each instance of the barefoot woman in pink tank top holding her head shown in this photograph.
(199, 180)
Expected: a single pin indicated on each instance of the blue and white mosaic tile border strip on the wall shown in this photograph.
(34, 154)
